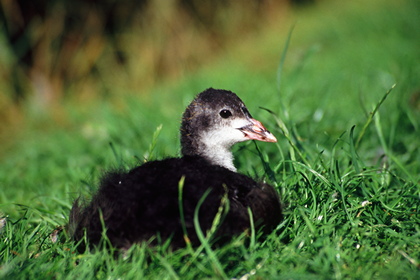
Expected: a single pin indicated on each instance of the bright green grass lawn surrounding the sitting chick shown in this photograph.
(348, 178)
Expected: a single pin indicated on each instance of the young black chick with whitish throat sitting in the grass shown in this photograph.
(144, 202)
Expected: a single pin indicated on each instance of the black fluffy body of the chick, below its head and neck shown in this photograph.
(135, 207)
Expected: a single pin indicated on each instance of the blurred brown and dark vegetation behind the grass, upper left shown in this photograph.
(57, 50)
